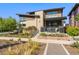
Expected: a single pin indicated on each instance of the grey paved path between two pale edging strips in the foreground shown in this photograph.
(55, 49)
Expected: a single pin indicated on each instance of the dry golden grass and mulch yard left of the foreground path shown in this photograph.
(8, 47)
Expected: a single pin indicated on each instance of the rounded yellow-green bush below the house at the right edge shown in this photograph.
(73, 31)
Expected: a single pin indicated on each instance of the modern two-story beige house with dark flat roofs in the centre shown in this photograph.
(44, 20)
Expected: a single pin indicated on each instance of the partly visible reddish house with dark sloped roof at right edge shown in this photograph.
(72, 14)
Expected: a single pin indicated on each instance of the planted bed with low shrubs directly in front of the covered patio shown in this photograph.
(56, 36)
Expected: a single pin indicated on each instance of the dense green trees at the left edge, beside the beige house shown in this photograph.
(7, 24)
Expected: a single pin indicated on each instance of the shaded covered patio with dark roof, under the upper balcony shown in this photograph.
(55, 24)
